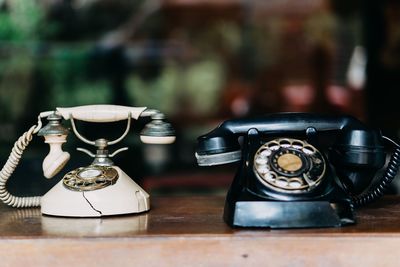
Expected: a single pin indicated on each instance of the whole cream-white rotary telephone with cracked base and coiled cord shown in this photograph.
(96, 190)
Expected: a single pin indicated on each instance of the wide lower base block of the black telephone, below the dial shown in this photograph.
(288, 214)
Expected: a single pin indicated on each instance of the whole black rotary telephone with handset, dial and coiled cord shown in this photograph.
(299, 170)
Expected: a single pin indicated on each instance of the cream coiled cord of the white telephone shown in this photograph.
(8, 169)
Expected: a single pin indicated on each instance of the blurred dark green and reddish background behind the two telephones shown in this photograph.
(199, 62)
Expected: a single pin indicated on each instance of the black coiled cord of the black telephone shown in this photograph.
(379, 189)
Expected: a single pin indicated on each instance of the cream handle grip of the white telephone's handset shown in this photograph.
(100, 113)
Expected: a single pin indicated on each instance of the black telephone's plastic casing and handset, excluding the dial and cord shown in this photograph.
(353, 152)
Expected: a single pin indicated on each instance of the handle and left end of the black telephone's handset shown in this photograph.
(221, 145)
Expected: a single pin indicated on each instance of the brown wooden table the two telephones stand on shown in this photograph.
(189, 231)
